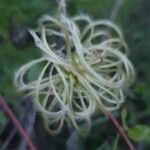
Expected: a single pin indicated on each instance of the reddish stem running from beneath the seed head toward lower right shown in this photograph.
(120, 129)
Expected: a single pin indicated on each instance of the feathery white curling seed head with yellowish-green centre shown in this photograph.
(85, 69)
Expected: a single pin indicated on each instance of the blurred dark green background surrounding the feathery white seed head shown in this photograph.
(16, 48)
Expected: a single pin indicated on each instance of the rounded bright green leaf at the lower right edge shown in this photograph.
(139, 133)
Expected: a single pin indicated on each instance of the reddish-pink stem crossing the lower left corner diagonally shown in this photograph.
(11, 115)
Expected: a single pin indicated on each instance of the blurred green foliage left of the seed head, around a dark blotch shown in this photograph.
(19, 13)
